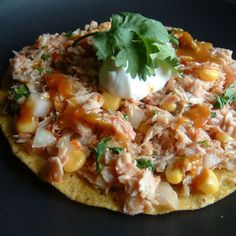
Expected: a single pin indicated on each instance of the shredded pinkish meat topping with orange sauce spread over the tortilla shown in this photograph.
(111, 142)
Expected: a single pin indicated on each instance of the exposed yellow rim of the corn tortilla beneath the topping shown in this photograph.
(81, 191)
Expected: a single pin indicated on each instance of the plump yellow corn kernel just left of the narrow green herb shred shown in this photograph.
(76, 159)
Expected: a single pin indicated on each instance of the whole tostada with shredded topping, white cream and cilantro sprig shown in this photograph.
(129, 115)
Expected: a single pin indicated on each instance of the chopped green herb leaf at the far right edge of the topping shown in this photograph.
(226, 98)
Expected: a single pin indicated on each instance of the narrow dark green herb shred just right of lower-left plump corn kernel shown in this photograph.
(99, 152)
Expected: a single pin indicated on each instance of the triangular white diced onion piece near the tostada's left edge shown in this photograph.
(43, 138)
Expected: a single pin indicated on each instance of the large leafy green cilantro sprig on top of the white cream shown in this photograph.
(137, 42)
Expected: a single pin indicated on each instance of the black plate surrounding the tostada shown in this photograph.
(30, 207)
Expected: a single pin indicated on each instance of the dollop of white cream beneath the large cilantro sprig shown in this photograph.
(120, 83)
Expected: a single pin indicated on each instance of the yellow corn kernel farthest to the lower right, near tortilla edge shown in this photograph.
(209, 183)
